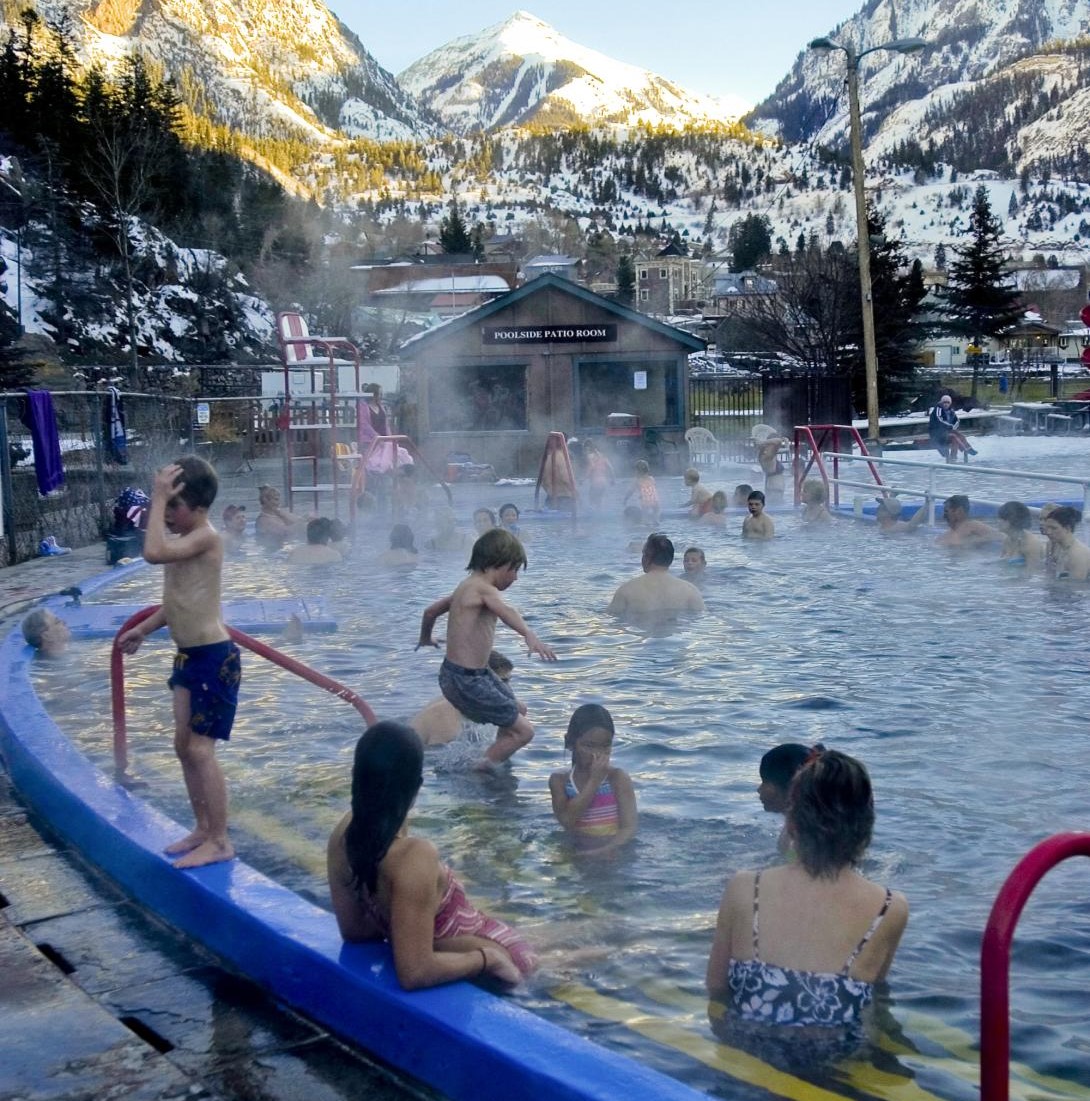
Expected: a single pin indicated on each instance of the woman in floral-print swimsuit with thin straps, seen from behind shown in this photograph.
(804, 944)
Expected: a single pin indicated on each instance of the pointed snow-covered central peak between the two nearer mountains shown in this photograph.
(524, 71)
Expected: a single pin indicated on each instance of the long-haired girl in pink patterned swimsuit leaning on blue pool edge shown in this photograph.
(389, 886)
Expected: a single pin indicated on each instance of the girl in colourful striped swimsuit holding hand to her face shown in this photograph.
(594, 801)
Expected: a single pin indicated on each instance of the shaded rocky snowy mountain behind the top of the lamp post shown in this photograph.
(971, 42)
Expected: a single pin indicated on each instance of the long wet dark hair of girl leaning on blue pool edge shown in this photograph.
(388, 771)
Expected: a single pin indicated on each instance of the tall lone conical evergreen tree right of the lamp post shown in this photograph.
(979, 301)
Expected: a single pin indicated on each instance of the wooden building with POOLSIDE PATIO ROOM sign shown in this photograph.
(550, 356)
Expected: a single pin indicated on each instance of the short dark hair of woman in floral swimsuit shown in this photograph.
(831, 813)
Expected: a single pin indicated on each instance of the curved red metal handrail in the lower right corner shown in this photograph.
(996, 958)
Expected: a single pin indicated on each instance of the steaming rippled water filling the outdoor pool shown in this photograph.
(961, 685)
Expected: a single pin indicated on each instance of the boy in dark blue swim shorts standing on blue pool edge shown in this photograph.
(205, 681)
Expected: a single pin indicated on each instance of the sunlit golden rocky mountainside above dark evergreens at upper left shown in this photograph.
(282, 70)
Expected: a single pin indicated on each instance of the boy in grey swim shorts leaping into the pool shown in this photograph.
(465, 678)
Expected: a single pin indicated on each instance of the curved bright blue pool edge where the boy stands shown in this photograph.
(463, 1041)
